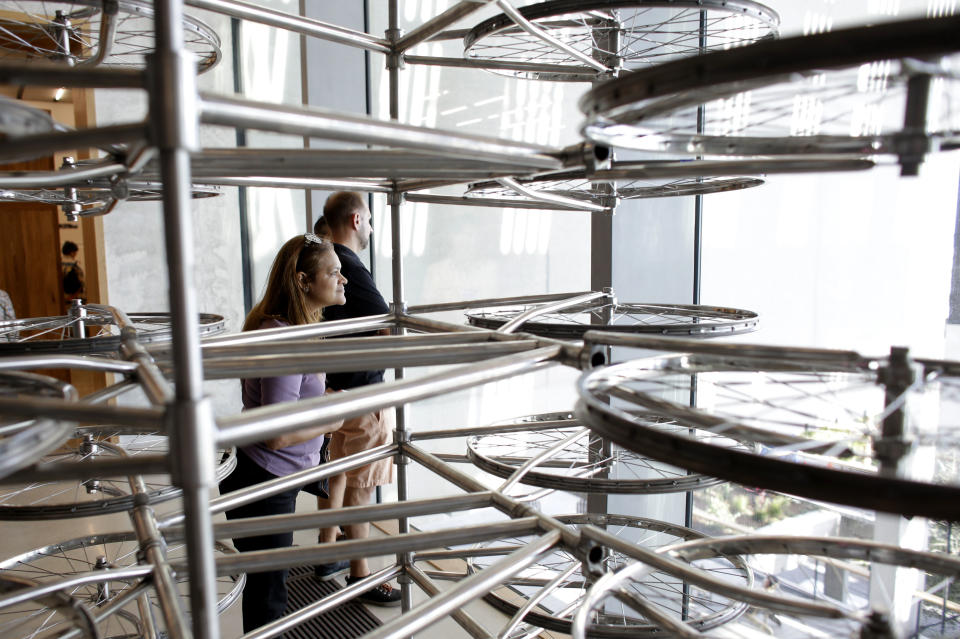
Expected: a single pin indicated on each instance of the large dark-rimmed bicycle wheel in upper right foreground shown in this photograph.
(844, 92)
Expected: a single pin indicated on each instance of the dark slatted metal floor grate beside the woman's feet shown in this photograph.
(347, 621)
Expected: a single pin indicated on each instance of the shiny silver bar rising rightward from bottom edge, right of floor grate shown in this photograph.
(466, 591)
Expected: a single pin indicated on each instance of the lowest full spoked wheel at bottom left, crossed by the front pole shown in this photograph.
(98, 552)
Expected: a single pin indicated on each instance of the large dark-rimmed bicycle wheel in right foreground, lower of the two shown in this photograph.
(810, 421)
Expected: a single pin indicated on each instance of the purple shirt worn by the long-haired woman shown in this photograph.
(274, 390)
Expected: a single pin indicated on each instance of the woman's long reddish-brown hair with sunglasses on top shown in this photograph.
(283, 298)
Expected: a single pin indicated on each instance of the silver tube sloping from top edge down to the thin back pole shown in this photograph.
(297, 24)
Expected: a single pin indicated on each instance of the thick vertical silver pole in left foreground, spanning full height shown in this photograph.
(173, 114)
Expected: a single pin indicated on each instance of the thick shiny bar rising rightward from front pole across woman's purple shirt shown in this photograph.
(266, 422)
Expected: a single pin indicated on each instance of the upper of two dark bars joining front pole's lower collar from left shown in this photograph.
(80, 412)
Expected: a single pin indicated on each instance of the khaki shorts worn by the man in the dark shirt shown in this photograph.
(363, 433)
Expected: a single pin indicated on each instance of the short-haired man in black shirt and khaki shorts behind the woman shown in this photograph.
(346, 221)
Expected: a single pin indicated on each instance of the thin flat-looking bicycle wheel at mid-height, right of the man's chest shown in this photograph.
(662, 319)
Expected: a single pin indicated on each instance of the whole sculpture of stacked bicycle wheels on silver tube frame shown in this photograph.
(826, 425)
